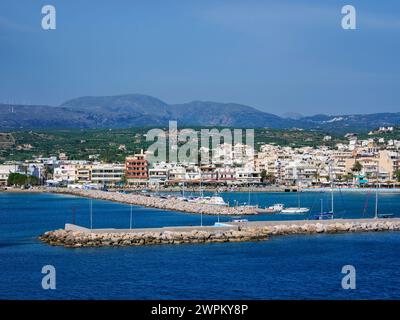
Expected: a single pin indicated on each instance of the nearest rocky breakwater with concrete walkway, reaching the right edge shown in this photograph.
(77, 237)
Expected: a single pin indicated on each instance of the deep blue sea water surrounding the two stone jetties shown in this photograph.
(293, 267)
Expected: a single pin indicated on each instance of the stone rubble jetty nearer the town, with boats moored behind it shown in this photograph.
(172, 203)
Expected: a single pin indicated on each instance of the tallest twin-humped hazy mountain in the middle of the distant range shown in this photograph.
(137, 109)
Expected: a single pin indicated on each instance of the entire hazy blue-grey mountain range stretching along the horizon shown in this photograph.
(134, 110)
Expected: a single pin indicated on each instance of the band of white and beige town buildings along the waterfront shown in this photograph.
(357, 162)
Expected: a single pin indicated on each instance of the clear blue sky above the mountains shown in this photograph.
(278, 56)
